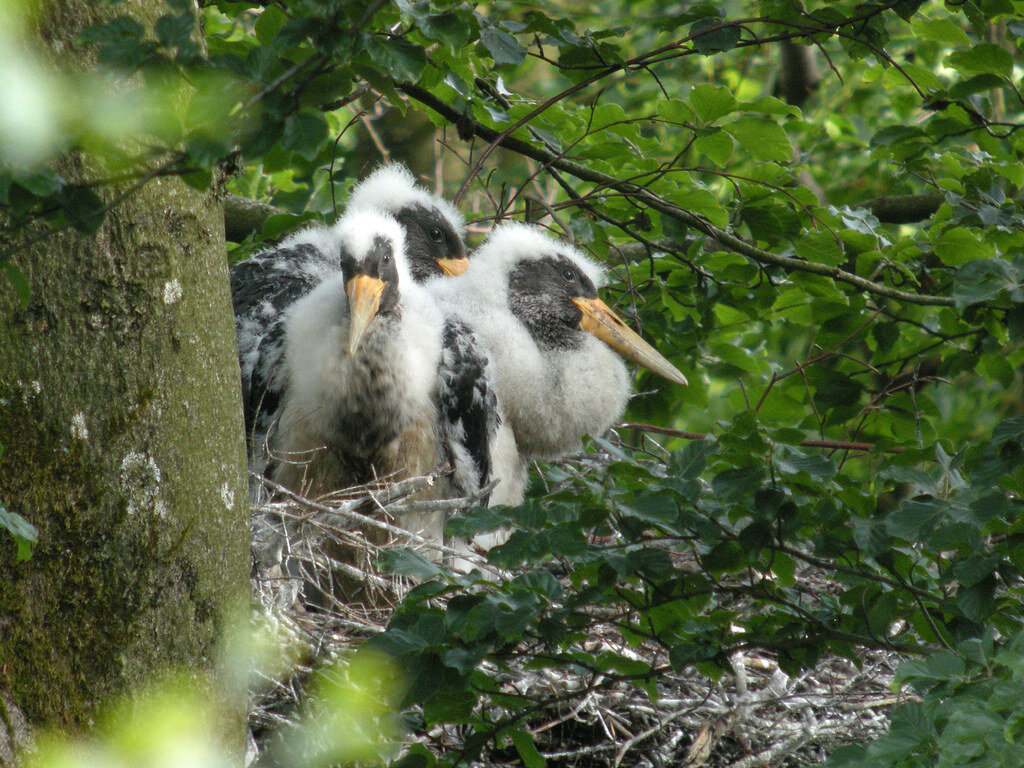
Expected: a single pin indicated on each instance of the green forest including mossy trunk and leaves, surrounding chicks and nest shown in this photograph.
(814, 209)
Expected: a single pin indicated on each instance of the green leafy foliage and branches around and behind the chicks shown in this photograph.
(839, 263)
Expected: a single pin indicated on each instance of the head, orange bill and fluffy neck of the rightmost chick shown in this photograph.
(554, 347)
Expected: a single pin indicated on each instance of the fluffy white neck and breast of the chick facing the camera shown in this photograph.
(345, 410)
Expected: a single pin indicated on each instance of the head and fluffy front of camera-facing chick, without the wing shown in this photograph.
(361, 361)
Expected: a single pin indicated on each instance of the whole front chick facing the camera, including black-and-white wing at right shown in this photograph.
(378, 381)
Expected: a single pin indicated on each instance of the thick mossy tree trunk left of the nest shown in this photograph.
(122, 442)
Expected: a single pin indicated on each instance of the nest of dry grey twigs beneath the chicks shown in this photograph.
(755, 716)
